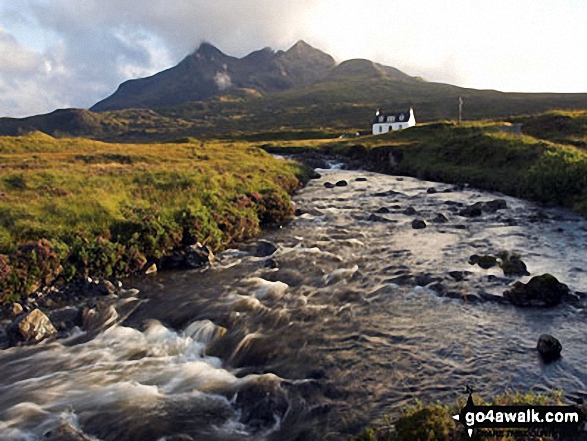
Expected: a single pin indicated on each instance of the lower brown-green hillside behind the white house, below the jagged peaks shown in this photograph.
(338, 104)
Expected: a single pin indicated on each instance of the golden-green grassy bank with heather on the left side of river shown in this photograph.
(74, 207)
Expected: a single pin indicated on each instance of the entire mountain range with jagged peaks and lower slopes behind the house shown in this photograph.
(210, 93)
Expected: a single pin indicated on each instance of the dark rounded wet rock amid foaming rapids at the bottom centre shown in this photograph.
(261, 402)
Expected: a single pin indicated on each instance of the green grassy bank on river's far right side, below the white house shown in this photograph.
(486, 154)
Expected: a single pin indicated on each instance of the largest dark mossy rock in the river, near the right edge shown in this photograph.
(544, 291)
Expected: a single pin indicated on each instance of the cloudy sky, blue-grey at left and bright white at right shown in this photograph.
(72, 53)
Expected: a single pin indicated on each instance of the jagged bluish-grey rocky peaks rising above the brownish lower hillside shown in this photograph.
(208, 72)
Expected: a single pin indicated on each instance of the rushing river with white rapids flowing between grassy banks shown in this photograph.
(341, 326)
